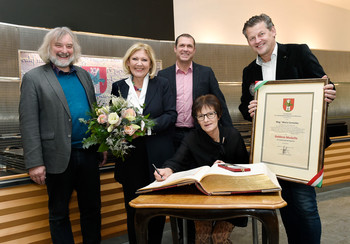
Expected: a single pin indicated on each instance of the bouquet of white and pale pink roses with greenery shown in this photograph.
(114, 126)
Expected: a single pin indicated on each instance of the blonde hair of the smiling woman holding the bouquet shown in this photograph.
(148, 49)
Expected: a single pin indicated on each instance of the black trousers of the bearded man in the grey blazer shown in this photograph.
(82, 175)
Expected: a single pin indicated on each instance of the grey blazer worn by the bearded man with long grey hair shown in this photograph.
(45, 120)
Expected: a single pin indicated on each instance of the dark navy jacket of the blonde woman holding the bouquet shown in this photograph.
(160, 104)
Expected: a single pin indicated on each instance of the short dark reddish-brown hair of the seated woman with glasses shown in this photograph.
(208, 100)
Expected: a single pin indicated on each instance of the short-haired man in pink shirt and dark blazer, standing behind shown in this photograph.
(189, 80)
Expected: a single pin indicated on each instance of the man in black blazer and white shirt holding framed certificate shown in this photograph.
(277, 61)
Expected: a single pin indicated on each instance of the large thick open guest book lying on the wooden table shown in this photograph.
(221, 179)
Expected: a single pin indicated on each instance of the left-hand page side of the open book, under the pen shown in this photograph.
(183, 177)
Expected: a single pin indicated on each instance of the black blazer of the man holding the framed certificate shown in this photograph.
(294, 61)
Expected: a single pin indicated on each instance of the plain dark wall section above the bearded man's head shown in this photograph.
(152, 19)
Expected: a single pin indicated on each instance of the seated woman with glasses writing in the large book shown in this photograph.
(208, 144)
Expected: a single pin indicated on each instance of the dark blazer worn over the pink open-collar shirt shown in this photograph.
(204, 82)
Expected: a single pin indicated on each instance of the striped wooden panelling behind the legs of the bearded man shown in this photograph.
(24, 213)
